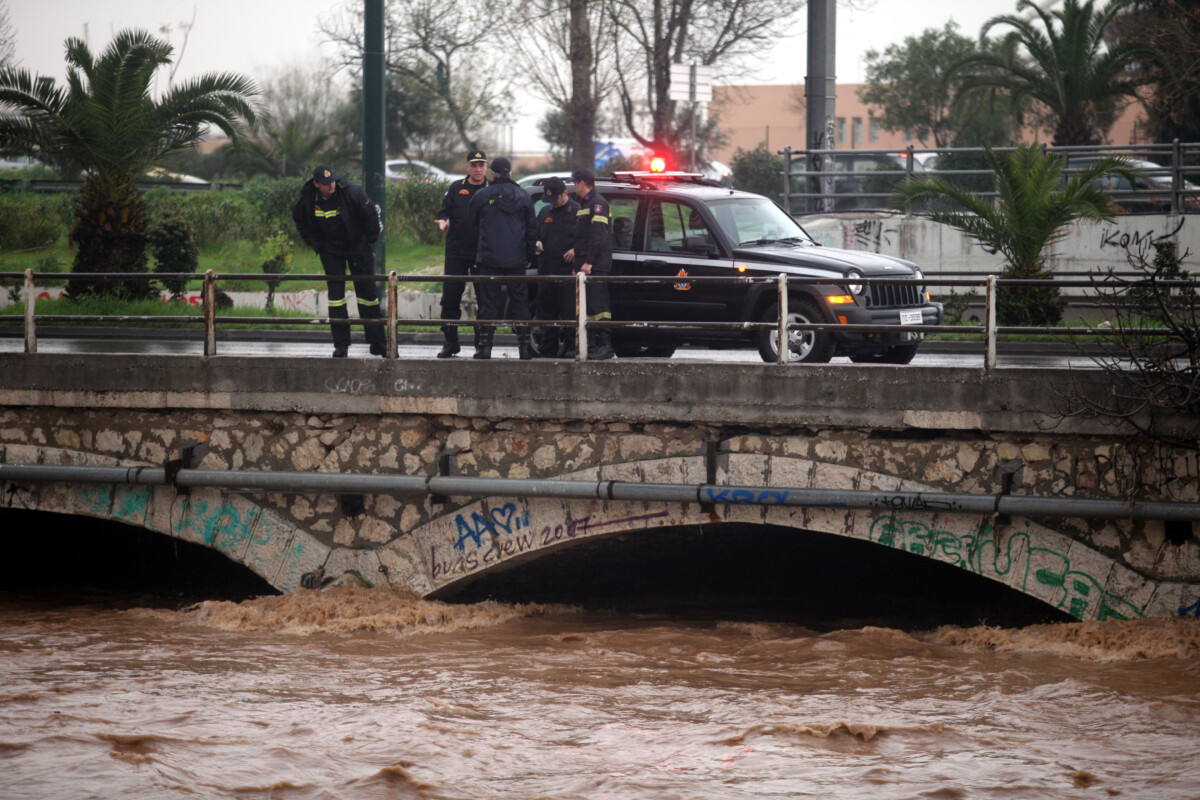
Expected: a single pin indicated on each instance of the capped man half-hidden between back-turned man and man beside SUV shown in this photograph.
(556, 236)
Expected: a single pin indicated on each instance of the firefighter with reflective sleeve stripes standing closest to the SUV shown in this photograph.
(592, 255)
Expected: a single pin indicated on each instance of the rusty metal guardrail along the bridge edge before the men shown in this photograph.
(782, 327)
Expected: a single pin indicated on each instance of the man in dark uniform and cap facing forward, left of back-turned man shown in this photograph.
(463, 238)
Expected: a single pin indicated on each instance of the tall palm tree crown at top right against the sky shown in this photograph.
(1063, 62)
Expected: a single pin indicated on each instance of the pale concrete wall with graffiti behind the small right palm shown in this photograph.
(1088, 246)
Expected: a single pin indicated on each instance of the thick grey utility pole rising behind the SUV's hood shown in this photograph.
(820, 95)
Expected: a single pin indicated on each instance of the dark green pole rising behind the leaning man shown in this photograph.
(374, 121)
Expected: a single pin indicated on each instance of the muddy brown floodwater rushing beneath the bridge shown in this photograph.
(373, 694)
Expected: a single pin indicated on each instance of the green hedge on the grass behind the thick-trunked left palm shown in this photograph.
(253, 214)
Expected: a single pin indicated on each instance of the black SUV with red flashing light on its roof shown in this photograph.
(685, 227)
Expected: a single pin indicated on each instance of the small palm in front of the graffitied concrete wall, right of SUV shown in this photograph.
(1033, 208)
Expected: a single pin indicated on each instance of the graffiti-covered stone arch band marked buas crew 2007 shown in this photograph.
(500, 533)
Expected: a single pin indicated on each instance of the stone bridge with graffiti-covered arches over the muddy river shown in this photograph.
(865, 428)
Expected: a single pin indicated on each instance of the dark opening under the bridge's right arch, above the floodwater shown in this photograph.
(818, 580)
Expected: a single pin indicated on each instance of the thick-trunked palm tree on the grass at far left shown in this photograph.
(106, 125)
